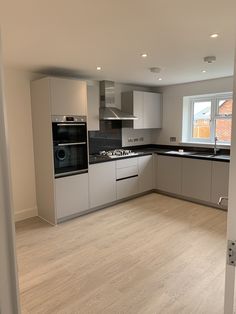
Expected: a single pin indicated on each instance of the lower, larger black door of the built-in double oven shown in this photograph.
(70, 159)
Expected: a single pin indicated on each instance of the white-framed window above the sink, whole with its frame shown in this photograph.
(208, 116)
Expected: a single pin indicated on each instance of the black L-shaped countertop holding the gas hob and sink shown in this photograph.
(194, 153)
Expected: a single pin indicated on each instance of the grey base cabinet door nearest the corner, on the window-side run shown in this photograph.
(169, 173)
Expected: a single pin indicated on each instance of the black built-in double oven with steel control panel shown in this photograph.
(69, 145)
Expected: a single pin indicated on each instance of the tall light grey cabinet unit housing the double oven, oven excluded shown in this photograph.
(56, 96)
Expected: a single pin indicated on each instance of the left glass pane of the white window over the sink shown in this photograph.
(201, 119)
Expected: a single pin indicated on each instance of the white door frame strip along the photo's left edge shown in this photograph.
(9, 292)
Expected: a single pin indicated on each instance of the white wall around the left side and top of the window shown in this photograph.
(173, 105)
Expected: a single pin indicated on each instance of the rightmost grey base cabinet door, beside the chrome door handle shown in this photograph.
(220, 180)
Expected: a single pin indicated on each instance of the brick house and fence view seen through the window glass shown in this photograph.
(202, 111)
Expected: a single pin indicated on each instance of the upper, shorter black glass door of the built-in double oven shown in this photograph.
(69, 132)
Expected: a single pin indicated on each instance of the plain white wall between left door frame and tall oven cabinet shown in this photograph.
(18, 102)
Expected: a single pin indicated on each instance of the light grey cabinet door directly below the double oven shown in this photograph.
(71, 195)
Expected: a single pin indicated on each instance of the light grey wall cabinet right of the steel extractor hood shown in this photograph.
(146, 106)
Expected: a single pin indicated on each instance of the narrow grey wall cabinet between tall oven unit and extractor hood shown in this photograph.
(93, 94)
